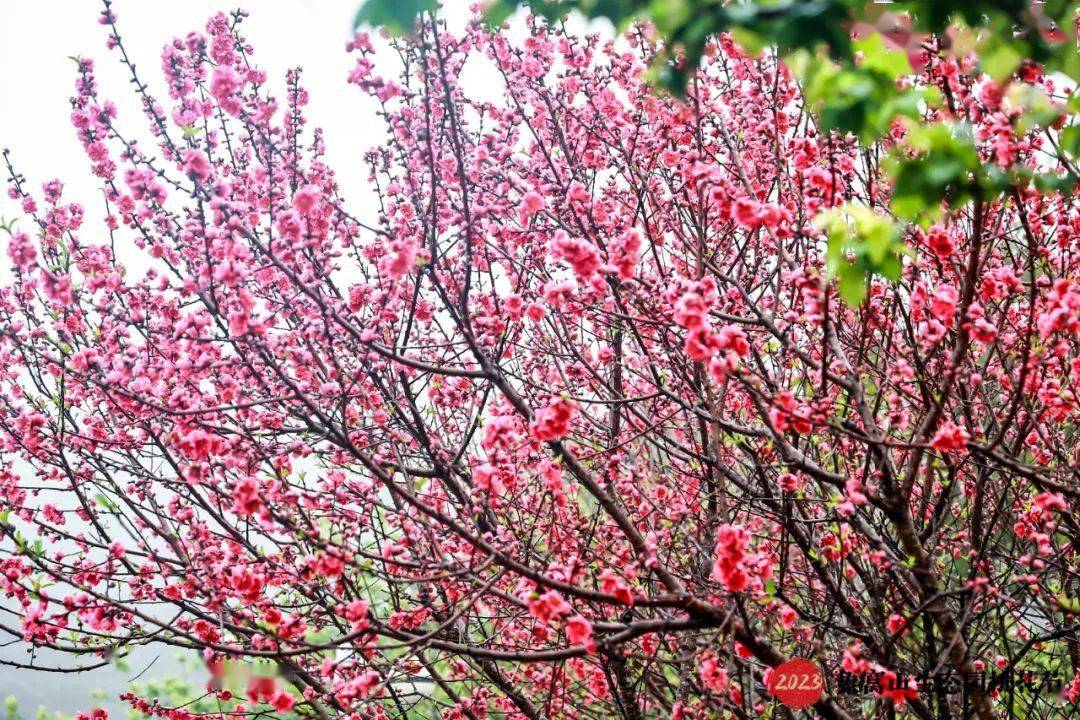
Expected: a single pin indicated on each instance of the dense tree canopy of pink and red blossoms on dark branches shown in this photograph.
(577, 427)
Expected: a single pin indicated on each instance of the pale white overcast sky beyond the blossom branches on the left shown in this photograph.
(36, 84)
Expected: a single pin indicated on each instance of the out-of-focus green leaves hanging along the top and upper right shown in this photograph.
(852, 57)
